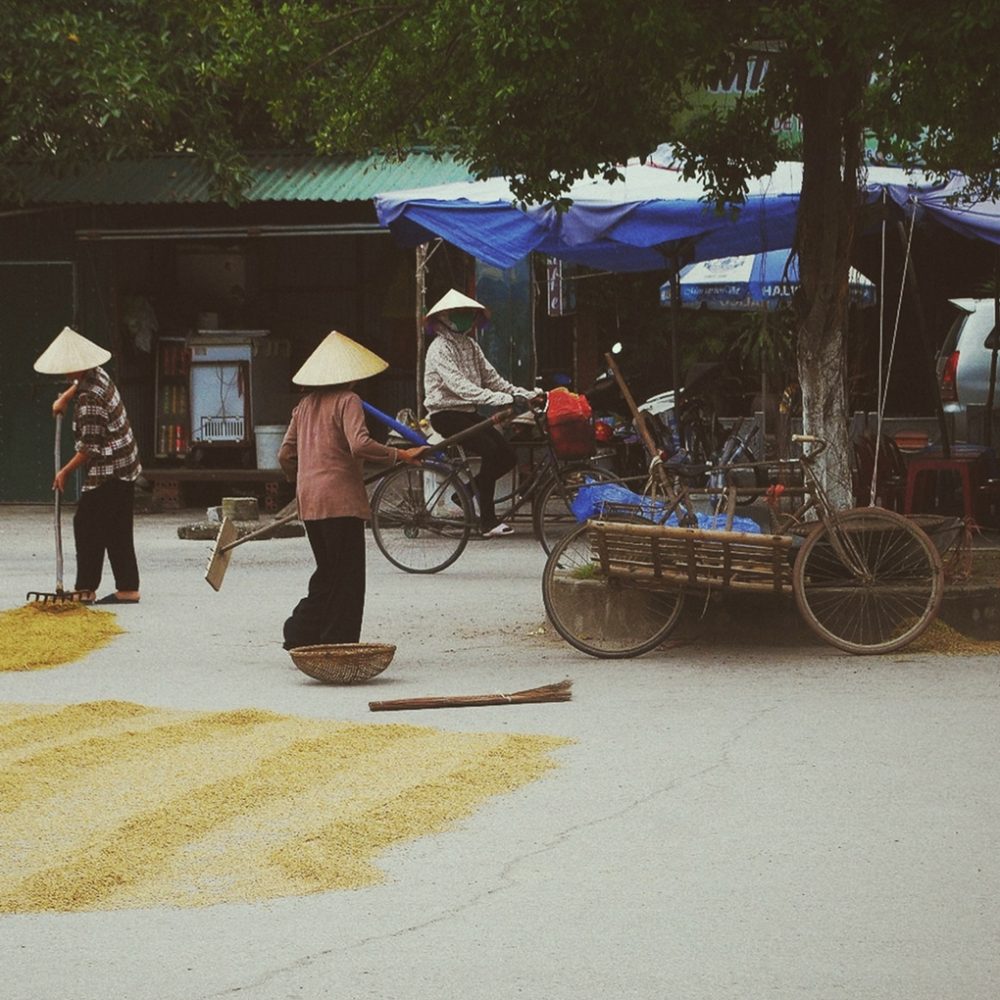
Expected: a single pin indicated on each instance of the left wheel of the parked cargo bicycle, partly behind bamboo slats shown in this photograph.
(607, 617)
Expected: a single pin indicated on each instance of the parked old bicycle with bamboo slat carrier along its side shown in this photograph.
(865, 580)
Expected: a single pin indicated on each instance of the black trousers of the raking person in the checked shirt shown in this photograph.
(102, 525)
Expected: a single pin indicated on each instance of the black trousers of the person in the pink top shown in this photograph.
(333, 608)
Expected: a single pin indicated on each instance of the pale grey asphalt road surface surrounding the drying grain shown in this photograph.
(735, 818)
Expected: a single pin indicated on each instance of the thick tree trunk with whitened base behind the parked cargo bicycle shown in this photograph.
(827, 213)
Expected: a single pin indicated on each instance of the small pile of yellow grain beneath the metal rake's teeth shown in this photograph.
(40, 635)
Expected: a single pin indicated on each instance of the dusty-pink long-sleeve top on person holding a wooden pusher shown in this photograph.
(324, 450)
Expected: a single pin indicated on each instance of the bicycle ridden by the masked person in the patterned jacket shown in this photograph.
(424, 515)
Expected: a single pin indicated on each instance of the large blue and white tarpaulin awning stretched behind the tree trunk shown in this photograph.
(638, 224)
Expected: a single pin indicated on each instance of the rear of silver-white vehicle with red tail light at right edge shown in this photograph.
(963, 363)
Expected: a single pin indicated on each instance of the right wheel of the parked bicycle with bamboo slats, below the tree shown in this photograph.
(868, 581)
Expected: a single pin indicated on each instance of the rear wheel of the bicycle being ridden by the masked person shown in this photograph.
(421, 517)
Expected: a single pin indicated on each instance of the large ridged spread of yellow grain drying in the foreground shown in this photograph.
(108, 805)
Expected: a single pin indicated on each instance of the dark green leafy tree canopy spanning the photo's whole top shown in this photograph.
(541, 89)
